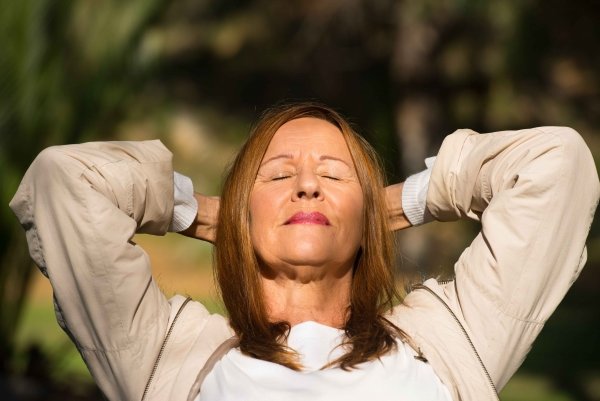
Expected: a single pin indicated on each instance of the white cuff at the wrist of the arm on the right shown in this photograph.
(414, 195)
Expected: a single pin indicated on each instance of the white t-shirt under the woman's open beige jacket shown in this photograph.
(396, 376)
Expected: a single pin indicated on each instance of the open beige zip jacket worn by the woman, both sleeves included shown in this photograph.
(534, 191)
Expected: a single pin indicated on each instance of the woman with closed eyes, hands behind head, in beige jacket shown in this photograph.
(303, 259)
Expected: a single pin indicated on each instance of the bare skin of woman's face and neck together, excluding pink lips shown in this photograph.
(307, 268)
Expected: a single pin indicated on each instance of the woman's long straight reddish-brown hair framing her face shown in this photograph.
(368, 334)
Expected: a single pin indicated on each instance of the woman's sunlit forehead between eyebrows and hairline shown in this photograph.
(309, 135)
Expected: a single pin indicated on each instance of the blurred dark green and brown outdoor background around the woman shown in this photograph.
(196, 73)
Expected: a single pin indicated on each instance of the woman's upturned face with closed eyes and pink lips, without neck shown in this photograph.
(306, 205)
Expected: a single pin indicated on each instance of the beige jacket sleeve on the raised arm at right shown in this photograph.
(535, 192)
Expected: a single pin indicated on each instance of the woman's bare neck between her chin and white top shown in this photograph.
(299, 299)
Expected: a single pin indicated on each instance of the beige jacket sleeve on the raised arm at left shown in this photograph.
(80, 206)
